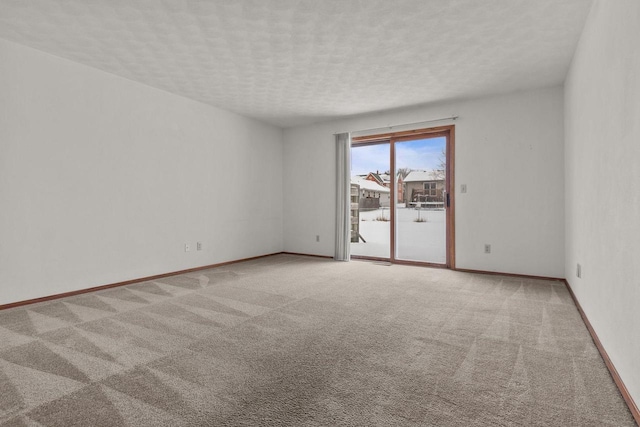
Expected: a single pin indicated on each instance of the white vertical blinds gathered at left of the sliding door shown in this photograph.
(343, 196)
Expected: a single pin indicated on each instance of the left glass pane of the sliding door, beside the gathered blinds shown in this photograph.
(370, 201)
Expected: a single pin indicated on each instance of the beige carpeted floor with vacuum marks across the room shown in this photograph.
(300, 341)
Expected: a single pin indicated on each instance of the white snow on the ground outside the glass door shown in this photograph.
(415, 241)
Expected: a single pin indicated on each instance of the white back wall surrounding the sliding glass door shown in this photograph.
(509, 152)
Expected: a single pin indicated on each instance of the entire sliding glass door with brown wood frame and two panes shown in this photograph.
(401, 206)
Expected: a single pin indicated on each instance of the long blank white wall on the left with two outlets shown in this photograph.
(104, 180)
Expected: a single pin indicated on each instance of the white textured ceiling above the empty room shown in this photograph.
(292, 62)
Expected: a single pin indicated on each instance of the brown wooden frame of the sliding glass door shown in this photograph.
(391, 138)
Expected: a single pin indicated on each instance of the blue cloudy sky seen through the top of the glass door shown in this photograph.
(422, 154)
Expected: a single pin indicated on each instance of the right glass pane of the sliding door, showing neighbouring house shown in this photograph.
(420, 211)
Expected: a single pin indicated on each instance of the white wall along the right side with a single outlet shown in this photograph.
(602, 121)
